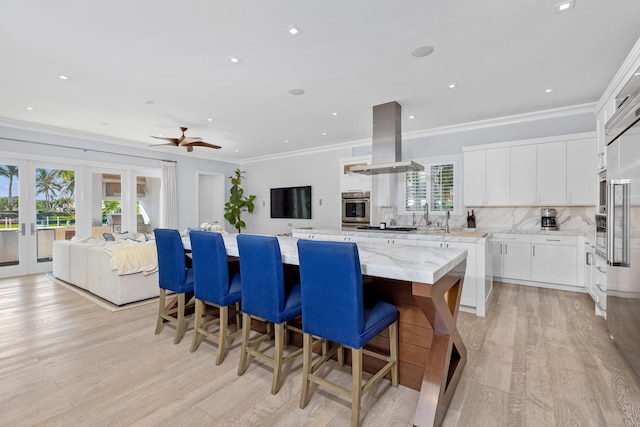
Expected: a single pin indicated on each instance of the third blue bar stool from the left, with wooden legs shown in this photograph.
(265, 296)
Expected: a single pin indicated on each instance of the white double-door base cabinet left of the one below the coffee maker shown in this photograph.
(511, 256)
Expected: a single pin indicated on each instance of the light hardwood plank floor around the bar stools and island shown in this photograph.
(540, 358)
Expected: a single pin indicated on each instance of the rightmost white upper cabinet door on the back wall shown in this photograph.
(581, 181)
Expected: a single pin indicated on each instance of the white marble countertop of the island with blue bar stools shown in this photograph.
(423, 265)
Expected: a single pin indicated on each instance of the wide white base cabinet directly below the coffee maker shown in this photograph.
(553, 260)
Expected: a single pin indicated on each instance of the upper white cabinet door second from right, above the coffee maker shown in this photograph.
(552, 173)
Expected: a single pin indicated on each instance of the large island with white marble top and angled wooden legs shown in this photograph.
(425, 286)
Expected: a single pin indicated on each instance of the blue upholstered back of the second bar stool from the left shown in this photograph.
(210, 267)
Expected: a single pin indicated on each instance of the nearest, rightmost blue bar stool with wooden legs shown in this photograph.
(334, 308)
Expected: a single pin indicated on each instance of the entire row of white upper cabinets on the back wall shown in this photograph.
(542, 172)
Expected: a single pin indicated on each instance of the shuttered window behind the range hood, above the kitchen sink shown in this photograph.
(436, 185)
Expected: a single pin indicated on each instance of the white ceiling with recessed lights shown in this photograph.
(351, 55)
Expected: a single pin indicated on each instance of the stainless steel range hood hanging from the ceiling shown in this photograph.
(386, 153)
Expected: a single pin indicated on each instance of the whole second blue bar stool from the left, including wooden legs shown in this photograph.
(214, 286)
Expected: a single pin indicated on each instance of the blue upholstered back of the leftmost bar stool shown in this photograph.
(172, 269)
